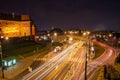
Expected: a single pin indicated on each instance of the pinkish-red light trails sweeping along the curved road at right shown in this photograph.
(103, 59)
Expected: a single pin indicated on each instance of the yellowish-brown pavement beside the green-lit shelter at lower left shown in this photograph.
(13, 71)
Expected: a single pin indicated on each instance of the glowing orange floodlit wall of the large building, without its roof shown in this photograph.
(15, 28)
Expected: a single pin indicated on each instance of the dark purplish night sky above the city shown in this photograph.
(68, 14)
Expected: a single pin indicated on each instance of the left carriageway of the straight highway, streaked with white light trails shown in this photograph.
(50, 65)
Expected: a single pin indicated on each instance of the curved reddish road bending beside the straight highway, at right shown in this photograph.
(107, 57)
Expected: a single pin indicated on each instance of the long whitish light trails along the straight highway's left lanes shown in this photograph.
(53, 60)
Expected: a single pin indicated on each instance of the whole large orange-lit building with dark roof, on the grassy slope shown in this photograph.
(12, 26)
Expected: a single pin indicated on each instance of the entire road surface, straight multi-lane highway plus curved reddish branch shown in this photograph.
(69, 64)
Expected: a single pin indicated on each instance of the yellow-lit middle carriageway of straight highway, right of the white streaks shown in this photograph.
(66, 69)
